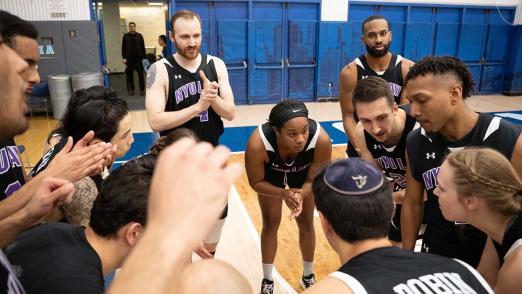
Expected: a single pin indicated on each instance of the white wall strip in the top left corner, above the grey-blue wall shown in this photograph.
(43, 10)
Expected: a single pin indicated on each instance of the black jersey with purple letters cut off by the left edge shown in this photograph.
(11, 169)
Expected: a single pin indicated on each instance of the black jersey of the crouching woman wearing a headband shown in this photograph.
(281, 173)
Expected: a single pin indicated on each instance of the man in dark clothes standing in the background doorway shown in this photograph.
(133, 52)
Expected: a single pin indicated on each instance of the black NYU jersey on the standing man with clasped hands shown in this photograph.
(184, 90)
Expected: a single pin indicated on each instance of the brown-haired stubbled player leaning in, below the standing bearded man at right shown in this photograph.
(383, 128)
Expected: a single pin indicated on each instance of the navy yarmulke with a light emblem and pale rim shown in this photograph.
(353, 176)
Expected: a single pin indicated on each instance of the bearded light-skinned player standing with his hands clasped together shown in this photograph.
(190, 90)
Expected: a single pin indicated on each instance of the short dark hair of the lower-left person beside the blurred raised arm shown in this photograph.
(123, 197)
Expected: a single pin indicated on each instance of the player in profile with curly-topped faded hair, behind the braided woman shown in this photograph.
(437, 87)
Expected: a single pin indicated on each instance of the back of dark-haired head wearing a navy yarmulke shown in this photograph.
(356, 200)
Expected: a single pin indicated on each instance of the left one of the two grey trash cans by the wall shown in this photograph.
(60, 90)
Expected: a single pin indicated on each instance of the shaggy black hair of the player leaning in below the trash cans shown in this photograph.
(97, 109)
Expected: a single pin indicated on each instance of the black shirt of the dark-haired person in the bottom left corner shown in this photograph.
(56, 258)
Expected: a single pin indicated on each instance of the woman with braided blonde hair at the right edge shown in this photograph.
(479, 186)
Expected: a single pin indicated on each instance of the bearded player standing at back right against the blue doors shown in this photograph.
(377, 61)
